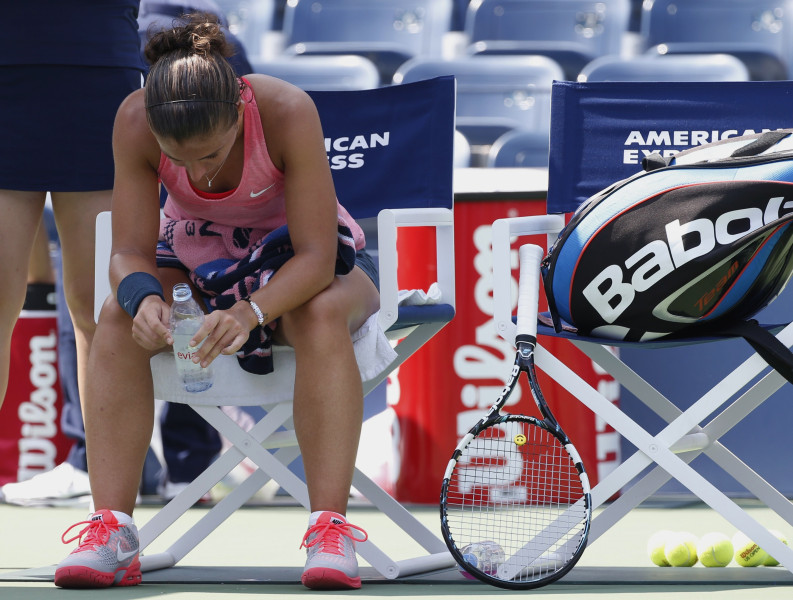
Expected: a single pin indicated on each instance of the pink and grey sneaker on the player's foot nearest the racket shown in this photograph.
(330, 544)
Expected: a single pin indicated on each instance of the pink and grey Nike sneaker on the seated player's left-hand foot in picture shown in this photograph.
(106, 555)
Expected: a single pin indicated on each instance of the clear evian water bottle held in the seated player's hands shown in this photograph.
(186, 319)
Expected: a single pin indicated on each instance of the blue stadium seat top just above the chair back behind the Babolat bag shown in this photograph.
(673, 67)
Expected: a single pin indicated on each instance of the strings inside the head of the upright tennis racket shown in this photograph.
(516, 485)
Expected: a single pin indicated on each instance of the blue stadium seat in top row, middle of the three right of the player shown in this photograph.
(572, 32)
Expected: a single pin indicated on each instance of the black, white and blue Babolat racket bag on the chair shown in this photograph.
(693, 245)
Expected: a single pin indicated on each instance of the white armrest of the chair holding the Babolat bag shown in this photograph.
(504, 259)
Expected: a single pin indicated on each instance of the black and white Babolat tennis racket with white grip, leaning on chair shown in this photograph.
(515, 501)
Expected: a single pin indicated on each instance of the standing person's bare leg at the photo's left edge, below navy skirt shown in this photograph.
(21, 217)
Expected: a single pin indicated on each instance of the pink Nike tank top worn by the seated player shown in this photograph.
(258, 202)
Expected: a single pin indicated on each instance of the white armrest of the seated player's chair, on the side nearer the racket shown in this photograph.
(388, 220)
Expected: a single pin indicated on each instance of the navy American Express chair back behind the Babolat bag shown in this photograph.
(601, 131)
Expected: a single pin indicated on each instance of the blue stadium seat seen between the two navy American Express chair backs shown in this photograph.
(495, 94)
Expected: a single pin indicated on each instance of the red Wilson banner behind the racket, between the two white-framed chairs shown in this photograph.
(440, 392)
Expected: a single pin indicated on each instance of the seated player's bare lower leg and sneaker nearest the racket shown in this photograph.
(328, 414)
